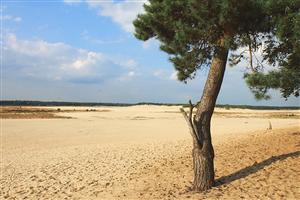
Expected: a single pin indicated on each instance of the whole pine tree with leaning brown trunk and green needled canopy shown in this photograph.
(201, 33)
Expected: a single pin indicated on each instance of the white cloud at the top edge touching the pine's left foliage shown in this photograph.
(123, 13)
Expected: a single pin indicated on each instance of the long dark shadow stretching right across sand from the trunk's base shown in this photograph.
(253, 168)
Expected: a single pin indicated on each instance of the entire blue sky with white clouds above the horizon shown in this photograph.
(85, 51)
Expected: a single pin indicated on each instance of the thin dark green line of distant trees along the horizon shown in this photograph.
(60, 103)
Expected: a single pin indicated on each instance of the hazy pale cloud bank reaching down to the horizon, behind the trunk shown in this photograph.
(37, 69)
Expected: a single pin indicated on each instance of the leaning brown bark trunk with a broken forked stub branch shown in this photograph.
(199, 124)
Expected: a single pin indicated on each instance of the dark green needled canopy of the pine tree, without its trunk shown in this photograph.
(190, 32)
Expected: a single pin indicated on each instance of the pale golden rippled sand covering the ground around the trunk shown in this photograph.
(144, 152)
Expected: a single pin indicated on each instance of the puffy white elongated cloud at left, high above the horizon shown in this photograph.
(58, 61)
